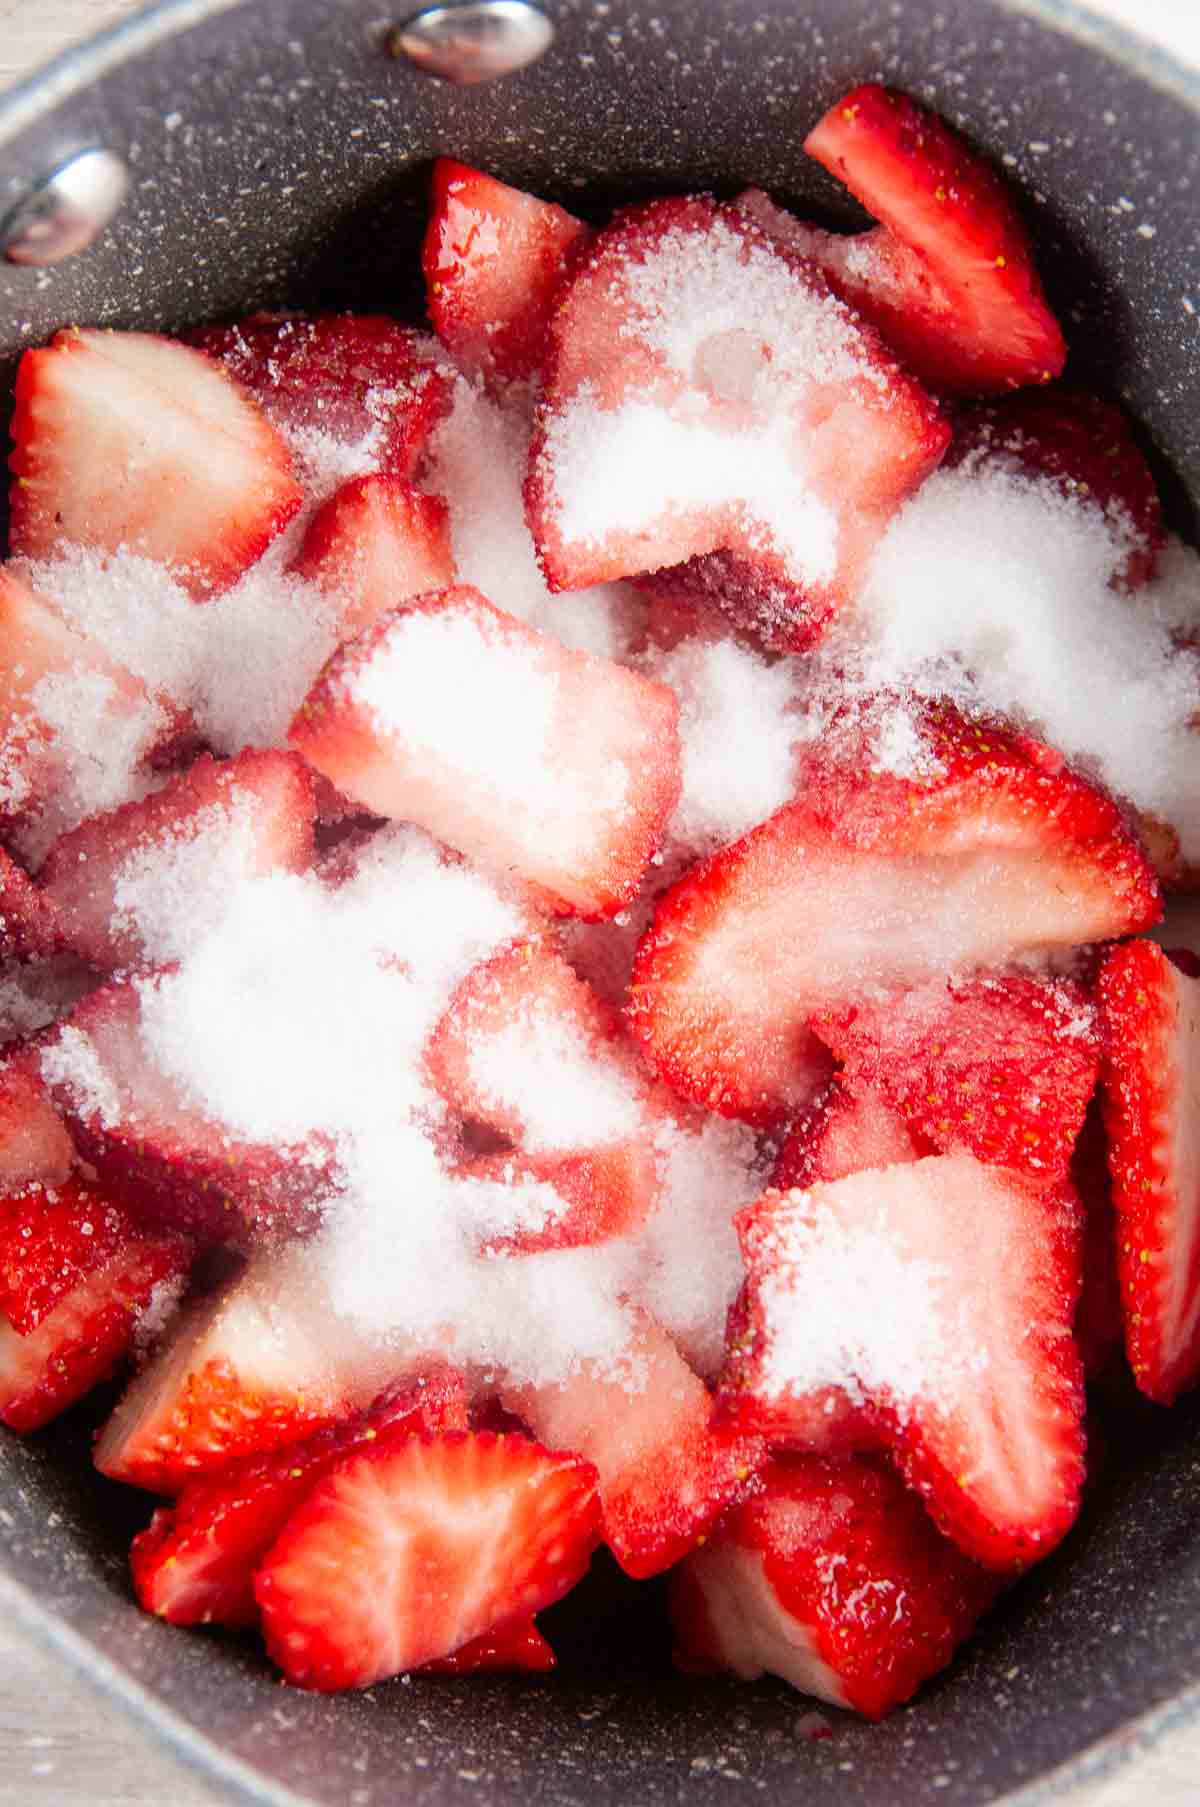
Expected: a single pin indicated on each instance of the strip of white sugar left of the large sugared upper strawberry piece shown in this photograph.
(478, 463)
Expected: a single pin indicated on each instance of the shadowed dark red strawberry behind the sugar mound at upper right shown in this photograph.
(1085, 447)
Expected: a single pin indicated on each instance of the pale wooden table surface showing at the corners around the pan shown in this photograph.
(61, 1743)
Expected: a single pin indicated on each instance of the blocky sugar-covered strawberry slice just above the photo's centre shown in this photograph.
(538, 762)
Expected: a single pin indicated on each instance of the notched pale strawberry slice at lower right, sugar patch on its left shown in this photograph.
(939, 1300)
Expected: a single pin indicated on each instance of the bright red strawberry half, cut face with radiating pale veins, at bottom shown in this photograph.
(409, 1551)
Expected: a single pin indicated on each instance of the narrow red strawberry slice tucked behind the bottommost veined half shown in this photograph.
(196, 1562)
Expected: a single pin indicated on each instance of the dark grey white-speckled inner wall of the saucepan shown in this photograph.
(281, 156)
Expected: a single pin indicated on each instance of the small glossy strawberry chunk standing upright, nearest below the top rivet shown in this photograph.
(492, 263)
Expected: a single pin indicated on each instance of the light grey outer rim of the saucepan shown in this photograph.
(73, 73)
